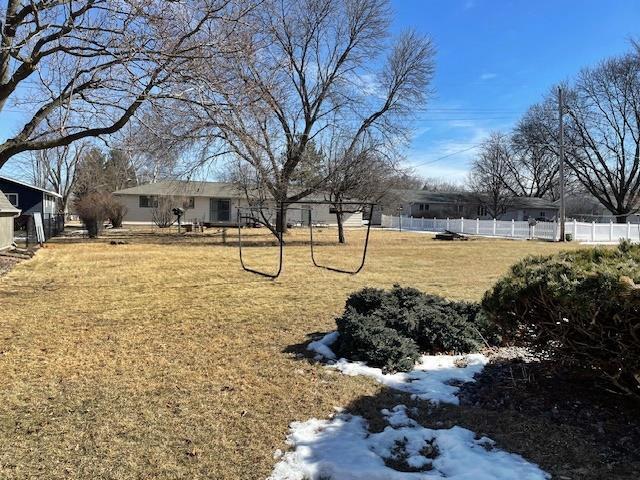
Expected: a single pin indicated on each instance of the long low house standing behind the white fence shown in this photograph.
(423, 203)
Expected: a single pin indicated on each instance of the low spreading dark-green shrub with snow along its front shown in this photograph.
(387, 329)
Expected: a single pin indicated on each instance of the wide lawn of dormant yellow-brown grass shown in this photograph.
(163, 359)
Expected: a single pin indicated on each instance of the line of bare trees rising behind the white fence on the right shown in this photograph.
(601, 118)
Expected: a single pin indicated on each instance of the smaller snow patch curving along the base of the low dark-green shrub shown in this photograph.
(430, 379)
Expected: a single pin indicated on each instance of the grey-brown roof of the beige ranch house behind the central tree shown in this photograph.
(183, 188)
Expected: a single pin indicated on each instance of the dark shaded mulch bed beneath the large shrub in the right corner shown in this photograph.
(561, 420)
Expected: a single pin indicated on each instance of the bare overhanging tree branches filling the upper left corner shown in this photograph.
(83, 68)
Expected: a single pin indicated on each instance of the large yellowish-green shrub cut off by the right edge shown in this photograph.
(580, 307)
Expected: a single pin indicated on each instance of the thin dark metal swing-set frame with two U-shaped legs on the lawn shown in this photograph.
(283, 207)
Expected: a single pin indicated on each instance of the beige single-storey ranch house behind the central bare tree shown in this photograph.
(214, 203)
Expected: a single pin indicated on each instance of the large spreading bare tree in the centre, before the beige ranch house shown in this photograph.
(304, 68)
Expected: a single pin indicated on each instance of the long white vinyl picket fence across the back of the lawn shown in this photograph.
(581, 231)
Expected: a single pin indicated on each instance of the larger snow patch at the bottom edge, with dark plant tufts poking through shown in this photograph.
(343, 448)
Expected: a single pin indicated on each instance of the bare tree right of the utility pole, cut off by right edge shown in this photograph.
(604, 128)
